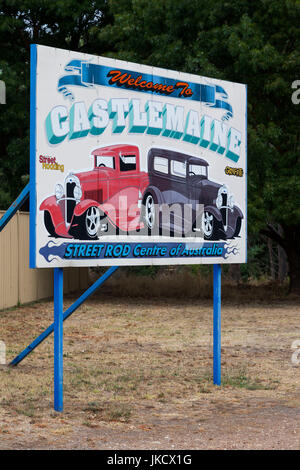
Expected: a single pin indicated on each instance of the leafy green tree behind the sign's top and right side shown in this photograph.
(253, 42)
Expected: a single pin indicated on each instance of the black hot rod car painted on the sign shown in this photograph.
(182, 180)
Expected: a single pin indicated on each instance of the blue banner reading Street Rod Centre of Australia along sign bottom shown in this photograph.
(106, 250)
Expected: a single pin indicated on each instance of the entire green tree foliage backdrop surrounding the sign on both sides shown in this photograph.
(250, 41)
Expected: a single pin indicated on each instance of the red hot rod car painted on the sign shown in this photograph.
(90, 203)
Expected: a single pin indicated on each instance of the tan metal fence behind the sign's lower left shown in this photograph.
(18, 283)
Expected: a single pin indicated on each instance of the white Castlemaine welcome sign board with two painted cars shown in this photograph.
(132, 164)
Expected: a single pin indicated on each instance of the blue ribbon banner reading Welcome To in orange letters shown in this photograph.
(85, 74)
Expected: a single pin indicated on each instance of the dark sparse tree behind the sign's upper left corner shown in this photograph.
(66, 24)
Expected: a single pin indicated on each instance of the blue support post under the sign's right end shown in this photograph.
(217, 324)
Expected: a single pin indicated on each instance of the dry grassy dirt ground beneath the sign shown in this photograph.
(138, 375)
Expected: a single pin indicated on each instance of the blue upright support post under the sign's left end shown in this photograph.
(58, 339)
